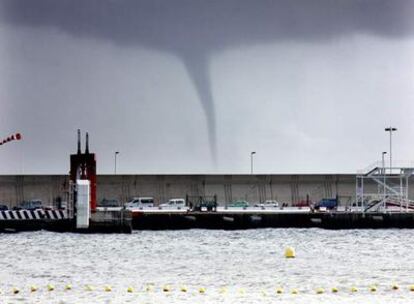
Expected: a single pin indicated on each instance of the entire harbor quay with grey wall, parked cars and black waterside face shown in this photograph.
(211, 202)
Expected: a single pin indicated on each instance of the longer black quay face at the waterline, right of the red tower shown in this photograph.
(248, 220)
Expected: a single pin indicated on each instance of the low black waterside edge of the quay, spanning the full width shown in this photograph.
(124, 221)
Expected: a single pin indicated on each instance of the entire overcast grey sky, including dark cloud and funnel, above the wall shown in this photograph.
(191, 86)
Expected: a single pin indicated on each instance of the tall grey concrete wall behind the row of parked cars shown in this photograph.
(253, 188)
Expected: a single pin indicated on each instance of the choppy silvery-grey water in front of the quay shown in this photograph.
(233, 266)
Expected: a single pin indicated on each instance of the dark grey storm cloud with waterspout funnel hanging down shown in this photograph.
(194, 29)
